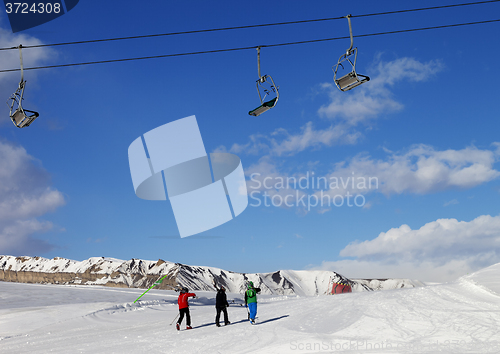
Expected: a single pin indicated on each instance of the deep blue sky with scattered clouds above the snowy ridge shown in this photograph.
(425, 128)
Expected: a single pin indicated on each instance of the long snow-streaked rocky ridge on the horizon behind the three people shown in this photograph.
(136, 273)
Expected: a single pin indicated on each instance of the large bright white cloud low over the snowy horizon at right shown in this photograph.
(439, 251)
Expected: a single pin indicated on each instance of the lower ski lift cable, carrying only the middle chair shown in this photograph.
(250, 47)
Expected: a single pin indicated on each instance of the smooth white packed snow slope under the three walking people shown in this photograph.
(458, 317)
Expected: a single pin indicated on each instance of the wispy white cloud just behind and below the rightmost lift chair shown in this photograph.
(374, 98)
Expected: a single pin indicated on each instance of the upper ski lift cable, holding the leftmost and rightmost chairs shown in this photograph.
(252, 26)
